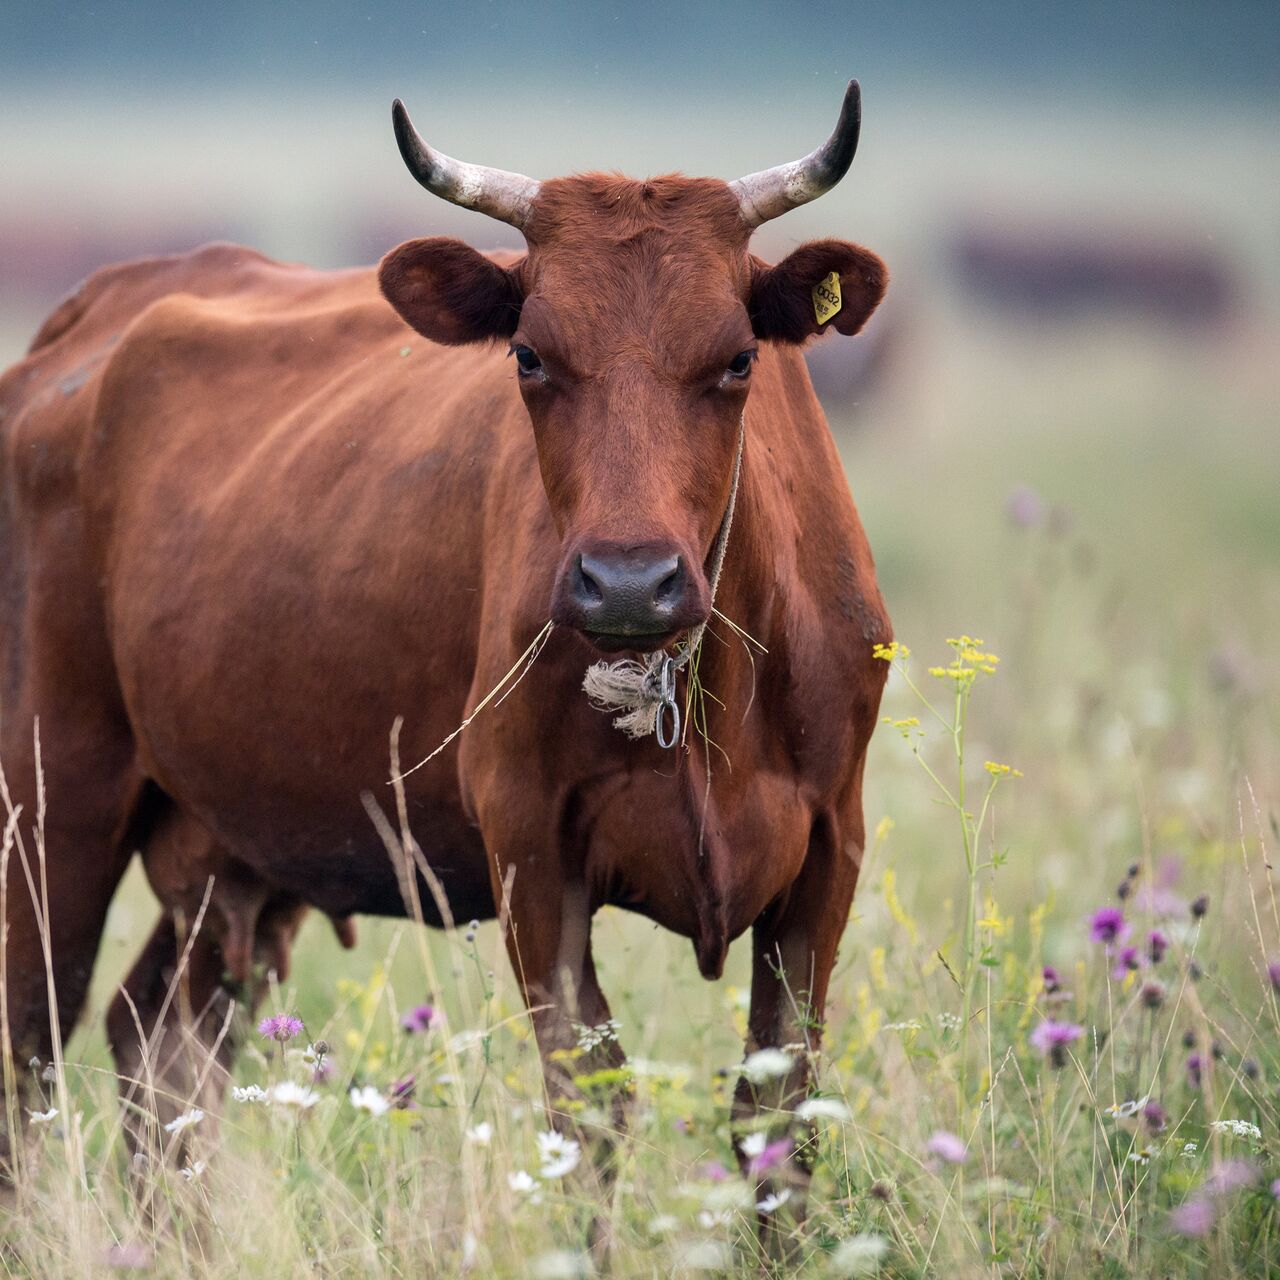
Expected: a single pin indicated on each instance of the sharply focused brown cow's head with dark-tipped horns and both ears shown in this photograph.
(634, 323)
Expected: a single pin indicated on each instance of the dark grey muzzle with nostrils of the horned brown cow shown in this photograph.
(637, 598)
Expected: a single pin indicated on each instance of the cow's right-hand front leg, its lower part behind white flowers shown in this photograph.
(794, 949)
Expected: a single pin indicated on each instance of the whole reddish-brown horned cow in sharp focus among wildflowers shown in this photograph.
(252, 520)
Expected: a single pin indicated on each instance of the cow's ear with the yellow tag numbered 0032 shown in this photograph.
(784, 303)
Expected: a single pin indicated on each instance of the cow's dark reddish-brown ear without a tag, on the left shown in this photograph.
(451, 294)
